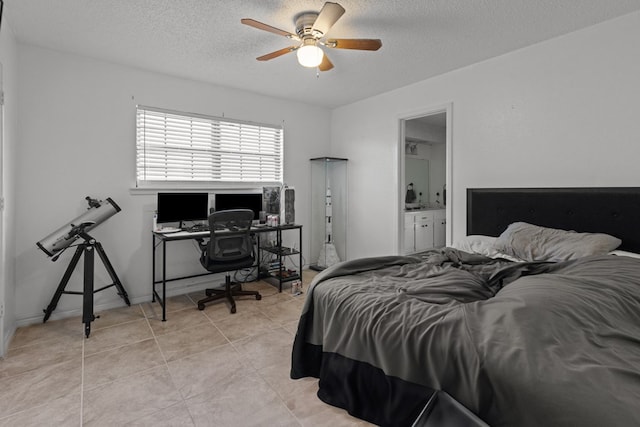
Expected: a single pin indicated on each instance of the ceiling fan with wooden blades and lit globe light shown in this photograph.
(311, 32)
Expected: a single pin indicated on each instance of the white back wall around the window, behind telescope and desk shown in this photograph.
(77, 139)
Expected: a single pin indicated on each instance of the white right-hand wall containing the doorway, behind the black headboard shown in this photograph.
(561, 113)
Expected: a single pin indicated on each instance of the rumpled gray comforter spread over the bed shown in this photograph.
(519, 344)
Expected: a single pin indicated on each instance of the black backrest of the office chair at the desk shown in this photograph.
(230, 238)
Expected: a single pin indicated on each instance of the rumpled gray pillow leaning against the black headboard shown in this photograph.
(533, 243)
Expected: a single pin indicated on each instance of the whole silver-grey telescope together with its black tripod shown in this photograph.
(55, 243)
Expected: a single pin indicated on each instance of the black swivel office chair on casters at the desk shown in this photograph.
(229, 248)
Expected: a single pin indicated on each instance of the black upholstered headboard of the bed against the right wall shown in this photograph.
(612, 210)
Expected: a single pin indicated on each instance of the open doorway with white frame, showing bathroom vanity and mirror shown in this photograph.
(424, 149)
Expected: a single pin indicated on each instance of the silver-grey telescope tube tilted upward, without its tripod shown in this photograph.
(98, 212)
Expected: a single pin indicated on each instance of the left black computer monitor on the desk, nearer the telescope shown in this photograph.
(174, 207)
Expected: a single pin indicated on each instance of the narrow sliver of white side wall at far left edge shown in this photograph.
(8, 58)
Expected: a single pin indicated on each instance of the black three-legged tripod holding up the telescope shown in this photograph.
(87, 248)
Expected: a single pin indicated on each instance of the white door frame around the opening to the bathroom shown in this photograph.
(443, 108)
